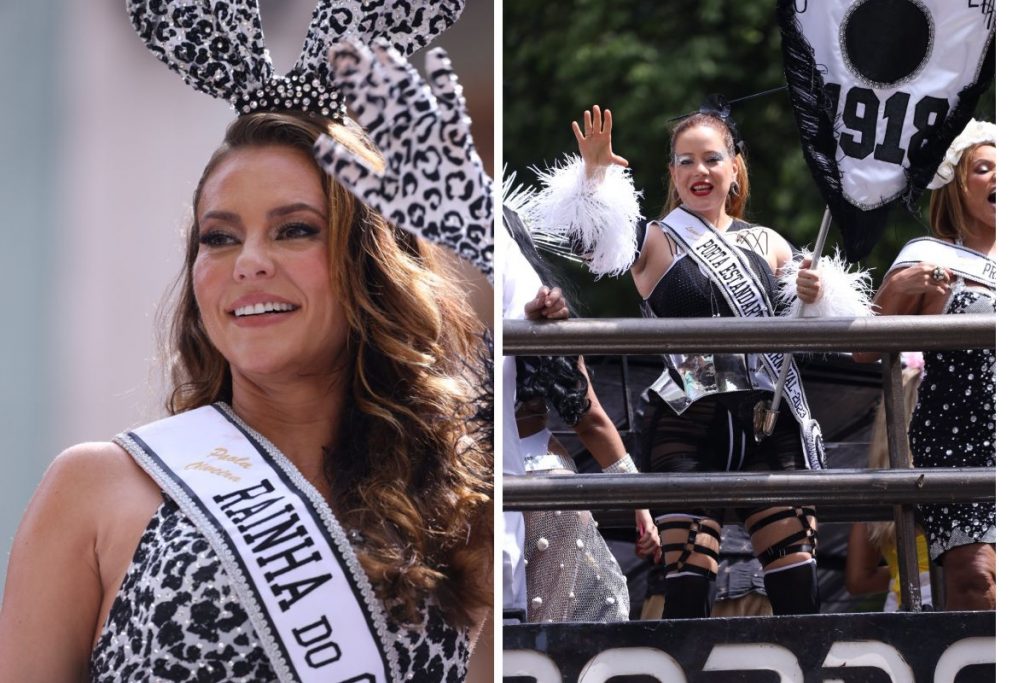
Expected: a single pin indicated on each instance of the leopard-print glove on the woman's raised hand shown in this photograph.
(434, 184)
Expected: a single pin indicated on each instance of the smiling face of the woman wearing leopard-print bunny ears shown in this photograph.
(263, 274)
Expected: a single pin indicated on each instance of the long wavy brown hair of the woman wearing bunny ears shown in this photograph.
(408, 468)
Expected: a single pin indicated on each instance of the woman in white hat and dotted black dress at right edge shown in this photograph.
(954, 424)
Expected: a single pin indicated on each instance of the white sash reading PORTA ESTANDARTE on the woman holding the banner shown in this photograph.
(728, 269)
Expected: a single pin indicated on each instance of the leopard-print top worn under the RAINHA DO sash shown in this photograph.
(178, 618)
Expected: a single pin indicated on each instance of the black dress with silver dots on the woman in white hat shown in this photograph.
(954, 425)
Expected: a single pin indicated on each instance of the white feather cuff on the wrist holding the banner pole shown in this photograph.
(846, 292)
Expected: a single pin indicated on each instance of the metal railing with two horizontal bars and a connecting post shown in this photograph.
(901, 486)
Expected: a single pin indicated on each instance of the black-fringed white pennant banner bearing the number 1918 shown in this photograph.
(880, 90)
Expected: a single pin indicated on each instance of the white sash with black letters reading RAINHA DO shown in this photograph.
(286, 554)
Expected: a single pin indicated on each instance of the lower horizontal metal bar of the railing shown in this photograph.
(605, 492)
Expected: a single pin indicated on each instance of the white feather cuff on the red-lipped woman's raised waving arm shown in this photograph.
(599, 218)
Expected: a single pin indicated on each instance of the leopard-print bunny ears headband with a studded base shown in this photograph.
(218, 47)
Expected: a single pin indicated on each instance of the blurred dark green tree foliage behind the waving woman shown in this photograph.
(649, 62)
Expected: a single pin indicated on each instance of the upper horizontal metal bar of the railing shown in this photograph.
(635, 335)
